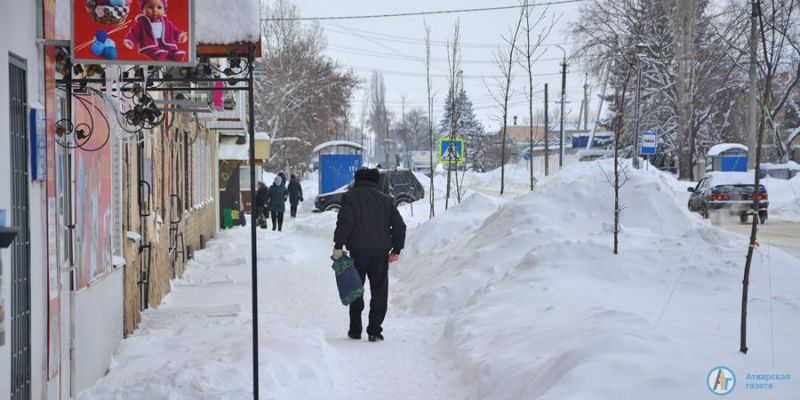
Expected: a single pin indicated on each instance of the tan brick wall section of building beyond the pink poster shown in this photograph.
(165, 166)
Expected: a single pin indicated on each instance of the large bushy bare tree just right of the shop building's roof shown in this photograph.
(298, 88)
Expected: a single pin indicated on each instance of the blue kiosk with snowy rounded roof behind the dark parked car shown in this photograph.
(338, 162)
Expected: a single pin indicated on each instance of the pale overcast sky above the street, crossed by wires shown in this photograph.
(396, 47)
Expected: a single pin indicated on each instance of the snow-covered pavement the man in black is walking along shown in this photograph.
(197, 344)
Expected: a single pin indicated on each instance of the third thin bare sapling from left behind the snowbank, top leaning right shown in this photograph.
(504, 60)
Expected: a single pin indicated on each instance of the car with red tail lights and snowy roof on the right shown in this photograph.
(728, 192)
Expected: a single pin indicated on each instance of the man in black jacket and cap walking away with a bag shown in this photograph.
(374, 233)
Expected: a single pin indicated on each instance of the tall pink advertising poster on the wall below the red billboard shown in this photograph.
(93, 188)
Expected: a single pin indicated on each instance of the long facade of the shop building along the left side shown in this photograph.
(103, 223)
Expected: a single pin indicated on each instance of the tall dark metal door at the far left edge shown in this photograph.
(20, 250)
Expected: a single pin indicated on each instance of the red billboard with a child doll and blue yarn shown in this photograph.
(133, 32)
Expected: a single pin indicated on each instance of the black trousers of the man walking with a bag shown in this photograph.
(376, 268)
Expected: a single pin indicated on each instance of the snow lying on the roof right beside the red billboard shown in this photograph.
(227, 21)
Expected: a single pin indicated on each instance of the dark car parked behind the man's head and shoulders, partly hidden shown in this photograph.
(400, 184)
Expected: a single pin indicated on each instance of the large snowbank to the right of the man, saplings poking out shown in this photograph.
(540, 308)
